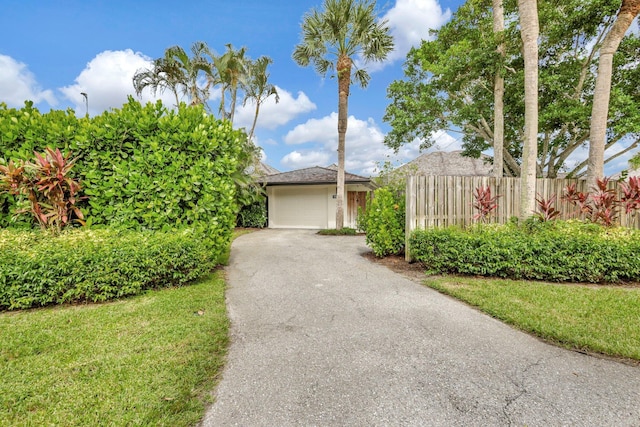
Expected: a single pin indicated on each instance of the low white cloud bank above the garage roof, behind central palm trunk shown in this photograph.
(364, 147)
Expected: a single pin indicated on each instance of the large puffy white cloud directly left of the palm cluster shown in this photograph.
(107, 81)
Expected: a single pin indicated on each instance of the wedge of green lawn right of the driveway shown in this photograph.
(600, 319)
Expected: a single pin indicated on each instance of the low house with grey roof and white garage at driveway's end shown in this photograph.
(306, 198)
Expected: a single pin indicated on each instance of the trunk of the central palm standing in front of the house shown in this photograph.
(344, 80)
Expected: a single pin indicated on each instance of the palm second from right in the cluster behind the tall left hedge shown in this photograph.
(231, 68)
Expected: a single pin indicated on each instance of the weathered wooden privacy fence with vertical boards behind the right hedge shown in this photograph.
(440, 201)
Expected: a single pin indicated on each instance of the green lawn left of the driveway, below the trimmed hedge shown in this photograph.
(148, 360)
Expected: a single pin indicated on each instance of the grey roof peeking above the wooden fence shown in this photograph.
(451, 163)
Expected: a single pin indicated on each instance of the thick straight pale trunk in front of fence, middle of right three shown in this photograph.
(529, 31)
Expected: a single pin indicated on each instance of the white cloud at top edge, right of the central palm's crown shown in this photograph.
(410, 22)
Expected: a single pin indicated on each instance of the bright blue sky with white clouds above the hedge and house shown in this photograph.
(50, 52)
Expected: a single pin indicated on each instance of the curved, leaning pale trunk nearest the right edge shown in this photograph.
(600, 110)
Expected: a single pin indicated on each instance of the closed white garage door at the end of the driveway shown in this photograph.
(298, 207)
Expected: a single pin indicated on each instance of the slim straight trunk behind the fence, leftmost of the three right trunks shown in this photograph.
(498, 93)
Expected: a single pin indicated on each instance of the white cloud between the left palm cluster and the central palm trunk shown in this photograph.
(272, 114)
